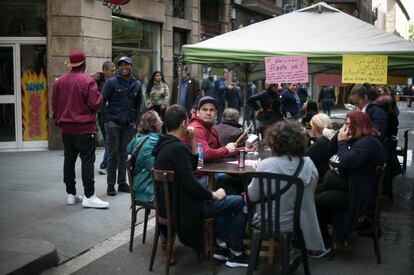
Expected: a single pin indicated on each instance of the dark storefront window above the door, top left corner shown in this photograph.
(23, 18)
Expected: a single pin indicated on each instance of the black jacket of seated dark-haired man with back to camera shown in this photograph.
(187, 193)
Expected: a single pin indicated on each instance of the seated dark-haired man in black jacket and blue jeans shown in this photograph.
(192, 201)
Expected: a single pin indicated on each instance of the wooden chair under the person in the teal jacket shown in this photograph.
(136, 206)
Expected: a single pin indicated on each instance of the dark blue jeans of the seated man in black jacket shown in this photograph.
(229, 217)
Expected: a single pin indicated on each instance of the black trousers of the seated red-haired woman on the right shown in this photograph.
(331, 198)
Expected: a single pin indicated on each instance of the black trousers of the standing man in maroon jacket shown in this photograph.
(83, 146)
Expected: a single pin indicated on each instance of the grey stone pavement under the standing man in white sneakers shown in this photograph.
(37, 224)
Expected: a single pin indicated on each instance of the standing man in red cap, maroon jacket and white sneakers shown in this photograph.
(75, 101)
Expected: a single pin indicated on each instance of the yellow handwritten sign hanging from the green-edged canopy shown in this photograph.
(364, 68)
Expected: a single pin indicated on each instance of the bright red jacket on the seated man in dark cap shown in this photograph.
(207, 135)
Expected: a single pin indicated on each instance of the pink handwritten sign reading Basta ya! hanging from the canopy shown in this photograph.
(286, 69)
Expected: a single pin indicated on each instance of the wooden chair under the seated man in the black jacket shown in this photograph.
(161, 180)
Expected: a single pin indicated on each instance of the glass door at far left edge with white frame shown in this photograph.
(8, 98)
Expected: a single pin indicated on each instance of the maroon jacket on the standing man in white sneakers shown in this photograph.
(75, 101)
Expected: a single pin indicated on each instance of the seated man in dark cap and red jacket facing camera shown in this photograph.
(205, 132)
